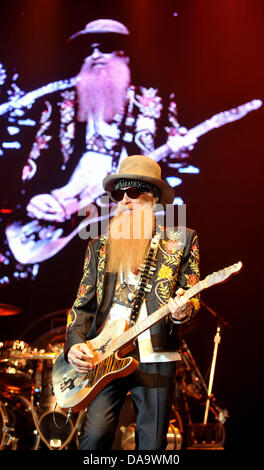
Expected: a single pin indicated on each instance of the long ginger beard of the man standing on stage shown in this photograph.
(130, 233)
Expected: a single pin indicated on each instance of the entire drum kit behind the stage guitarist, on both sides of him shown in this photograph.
(30, 418)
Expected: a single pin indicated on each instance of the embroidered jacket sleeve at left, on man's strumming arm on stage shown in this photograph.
(82, 313)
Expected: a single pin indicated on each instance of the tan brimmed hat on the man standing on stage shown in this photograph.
(140, 168)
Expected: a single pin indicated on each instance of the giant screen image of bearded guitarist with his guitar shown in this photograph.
(87, 126)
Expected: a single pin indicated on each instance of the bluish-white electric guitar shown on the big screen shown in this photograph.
(39, 240)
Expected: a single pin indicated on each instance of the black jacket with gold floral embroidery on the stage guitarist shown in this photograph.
(177, 266)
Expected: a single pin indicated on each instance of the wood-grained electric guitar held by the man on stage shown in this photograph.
(75, 390)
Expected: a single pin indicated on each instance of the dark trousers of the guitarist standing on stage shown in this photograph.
(152, 389)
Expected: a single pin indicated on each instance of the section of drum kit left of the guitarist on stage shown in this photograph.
(29, 418)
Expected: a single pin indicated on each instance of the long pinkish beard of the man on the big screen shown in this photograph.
(101, 90)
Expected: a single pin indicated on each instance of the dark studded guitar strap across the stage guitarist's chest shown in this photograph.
(146, 269)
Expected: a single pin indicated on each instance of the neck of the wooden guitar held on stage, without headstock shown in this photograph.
(132, 333)
